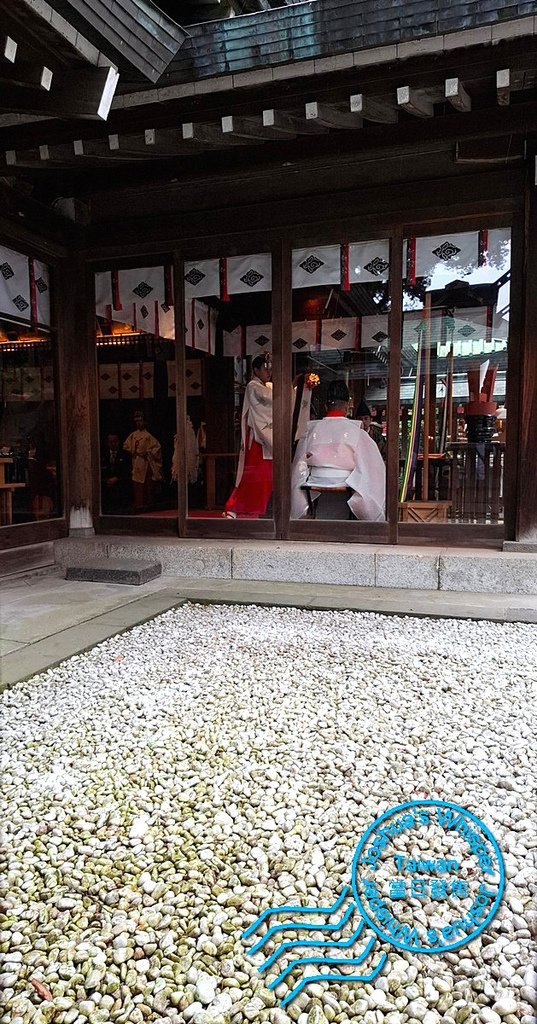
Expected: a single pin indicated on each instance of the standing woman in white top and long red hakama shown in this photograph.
(255, 476)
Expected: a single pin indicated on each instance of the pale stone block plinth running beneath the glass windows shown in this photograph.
(457, 570)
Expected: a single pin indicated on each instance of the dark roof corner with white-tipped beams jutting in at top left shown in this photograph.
(63, 59)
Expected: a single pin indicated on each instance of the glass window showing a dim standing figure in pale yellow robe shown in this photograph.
(137, 392)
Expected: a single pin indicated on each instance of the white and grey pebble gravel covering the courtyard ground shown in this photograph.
(164, 789)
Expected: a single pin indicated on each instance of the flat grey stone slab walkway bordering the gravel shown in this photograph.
(46, 619)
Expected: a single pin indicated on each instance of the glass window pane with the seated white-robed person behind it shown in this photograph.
(341, 347)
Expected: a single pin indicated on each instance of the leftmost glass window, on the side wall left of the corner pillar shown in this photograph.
(30, 465)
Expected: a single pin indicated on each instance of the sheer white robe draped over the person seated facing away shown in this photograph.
(338, 452)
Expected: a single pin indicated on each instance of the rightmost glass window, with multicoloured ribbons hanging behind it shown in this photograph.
(455, 365)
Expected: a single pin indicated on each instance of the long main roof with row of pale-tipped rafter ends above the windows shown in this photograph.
(387, 74)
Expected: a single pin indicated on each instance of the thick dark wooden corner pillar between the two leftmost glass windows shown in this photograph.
(76, 318)
